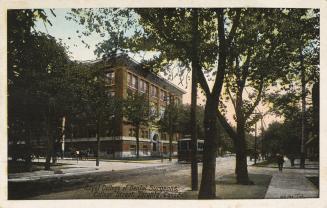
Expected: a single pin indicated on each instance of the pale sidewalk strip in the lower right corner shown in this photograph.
(292, 182)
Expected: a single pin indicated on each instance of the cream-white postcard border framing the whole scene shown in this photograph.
(5, 4)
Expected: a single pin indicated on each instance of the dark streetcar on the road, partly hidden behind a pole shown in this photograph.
(185, 151)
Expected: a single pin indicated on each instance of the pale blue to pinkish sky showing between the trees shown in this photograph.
(65, 31)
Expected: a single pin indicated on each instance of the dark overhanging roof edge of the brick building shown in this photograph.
(142, 70)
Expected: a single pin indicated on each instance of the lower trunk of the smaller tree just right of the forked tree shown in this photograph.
(241, 169)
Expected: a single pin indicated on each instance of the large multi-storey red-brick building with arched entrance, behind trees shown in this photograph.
(124, 76)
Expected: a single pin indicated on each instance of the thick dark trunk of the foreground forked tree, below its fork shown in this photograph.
(208, 184)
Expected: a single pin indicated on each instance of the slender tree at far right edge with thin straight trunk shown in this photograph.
(303, 57)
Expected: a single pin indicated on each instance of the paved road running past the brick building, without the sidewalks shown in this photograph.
(161, 176)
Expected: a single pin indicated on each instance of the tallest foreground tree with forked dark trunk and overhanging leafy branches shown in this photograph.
(163, 31)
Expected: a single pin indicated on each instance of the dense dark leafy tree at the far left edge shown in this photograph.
(35, 65)
